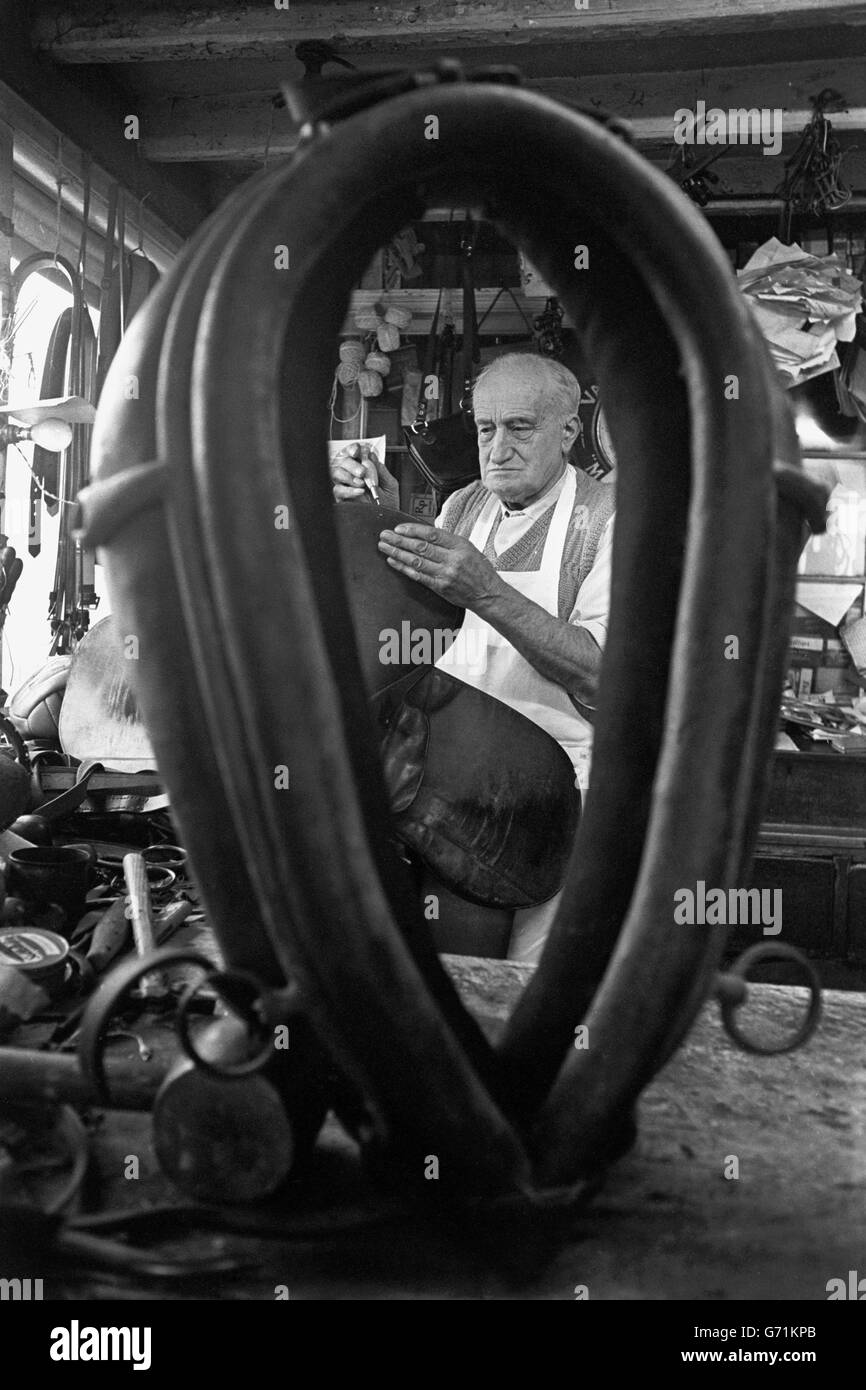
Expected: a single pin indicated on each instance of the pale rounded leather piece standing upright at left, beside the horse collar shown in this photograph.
(99, 717)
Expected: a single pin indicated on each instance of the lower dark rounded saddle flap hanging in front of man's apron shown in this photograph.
(484, 796)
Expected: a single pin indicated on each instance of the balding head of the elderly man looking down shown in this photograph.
(522, 436)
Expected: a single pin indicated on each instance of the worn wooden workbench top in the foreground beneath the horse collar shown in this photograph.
(667, 1225)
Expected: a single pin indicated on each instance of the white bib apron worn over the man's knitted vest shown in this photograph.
(483, 658)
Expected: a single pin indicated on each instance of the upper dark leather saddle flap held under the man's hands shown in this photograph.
(400, 625)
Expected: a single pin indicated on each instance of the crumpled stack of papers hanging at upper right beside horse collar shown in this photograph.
(804, 306)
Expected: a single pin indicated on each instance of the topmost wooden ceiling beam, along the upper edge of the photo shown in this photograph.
(136, 31)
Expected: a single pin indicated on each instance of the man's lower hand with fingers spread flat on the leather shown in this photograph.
(443, 562)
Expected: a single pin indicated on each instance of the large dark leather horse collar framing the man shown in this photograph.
(250, 664)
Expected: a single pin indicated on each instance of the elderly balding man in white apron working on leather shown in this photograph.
(528, 554)
